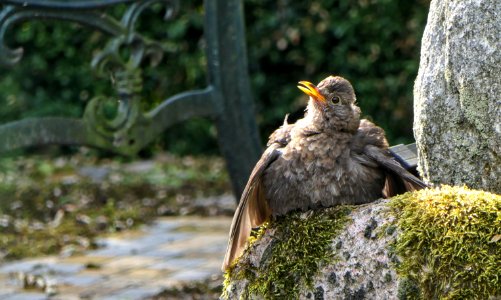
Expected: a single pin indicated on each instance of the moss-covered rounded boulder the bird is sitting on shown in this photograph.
(432, 244)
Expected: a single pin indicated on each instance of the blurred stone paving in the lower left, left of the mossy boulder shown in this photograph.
(139, 264)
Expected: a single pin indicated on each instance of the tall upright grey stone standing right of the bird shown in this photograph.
(457, 95)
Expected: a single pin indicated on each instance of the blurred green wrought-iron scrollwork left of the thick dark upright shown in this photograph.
(130, 129)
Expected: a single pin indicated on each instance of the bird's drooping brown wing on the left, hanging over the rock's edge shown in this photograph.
(252, 209)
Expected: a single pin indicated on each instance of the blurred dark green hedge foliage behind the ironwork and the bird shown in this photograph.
(373, 43)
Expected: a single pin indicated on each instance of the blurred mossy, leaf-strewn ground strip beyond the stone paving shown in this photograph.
(48, 205)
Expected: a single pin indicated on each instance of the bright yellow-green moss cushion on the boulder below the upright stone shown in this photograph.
(449, 243)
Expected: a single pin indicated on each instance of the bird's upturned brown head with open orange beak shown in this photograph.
(332, 103)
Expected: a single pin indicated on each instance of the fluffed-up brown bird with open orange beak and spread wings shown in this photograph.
(329, 157)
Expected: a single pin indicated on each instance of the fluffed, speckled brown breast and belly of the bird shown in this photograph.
(318, 171)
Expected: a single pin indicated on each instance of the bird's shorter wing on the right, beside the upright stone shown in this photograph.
(398, 179)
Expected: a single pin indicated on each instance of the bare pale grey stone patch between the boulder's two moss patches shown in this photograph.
(364, 268)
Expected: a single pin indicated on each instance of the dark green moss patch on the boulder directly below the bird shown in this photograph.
(300, 246)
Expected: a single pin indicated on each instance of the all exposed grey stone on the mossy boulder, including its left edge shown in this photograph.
(363, 264)
